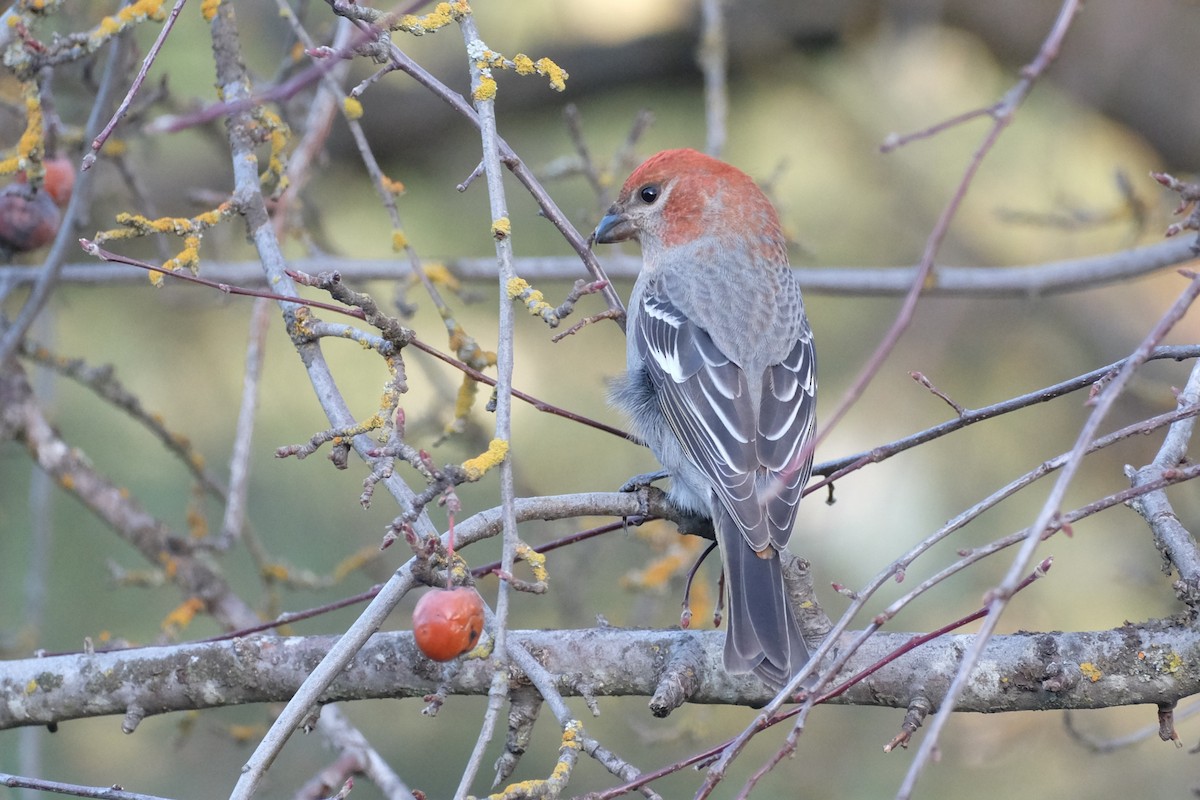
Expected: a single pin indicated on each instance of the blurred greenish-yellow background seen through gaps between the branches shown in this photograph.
(814, 89)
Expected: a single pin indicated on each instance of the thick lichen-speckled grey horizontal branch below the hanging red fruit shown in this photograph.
(1022, 672)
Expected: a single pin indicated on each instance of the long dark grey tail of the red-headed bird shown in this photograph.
(764, 636)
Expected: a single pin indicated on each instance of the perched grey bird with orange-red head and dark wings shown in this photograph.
(722, 380)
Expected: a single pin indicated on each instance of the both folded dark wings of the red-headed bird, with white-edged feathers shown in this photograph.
(751, 453)
